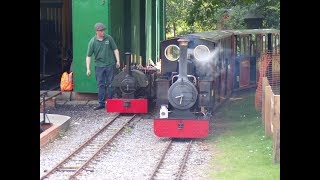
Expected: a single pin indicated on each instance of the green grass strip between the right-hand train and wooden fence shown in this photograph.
(241, 149)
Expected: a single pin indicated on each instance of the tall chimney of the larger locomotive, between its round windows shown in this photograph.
(183, 45)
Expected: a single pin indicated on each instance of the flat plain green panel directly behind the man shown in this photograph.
(85, 13)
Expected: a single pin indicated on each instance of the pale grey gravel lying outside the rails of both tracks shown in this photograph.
(133, 155)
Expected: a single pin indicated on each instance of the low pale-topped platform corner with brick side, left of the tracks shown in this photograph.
(60, 123)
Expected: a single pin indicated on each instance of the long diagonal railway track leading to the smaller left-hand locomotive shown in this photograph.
(81, 159)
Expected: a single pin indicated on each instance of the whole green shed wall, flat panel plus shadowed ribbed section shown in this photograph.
(136, 26)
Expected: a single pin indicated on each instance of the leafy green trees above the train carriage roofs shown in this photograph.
(187, 16)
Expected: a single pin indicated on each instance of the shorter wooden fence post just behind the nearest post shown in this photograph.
(267, 111)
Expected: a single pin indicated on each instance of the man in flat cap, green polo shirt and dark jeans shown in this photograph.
(105, 51)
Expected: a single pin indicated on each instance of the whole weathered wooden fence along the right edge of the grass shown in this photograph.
(271, 117)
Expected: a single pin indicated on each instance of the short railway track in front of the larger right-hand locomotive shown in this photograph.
(172, 161)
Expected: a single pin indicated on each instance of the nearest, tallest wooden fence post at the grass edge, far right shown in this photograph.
(276, 127)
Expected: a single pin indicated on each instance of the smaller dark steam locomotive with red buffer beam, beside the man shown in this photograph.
(133, 88)
